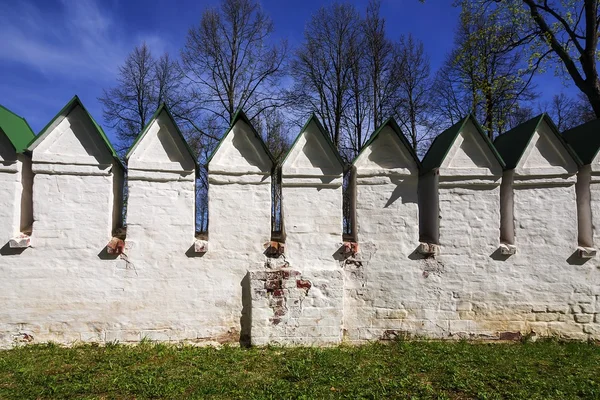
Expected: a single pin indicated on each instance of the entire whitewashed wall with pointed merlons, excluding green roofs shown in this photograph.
(67, 288)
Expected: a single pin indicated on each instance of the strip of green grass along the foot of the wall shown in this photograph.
(404, 369)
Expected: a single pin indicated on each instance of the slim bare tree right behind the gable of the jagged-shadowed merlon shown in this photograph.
(413, 107)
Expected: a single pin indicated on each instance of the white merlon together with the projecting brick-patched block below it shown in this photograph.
(298, 298)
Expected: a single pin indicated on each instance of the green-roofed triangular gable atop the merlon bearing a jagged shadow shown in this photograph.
(387, 148)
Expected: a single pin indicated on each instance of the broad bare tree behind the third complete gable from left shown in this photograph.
(230, 63)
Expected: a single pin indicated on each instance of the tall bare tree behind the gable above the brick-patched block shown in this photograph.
(323, 65)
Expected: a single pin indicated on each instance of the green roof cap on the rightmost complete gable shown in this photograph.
(513, 143)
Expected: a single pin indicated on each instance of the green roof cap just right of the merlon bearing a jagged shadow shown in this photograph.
(443, 142)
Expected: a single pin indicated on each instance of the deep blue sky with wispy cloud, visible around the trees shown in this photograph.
(51, 50)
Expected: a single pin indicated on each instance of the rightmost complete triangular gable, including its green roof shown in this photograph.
(536, 144)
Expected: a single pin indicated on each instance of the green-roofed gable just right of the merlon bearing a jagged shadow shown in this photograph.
(463, 146)
